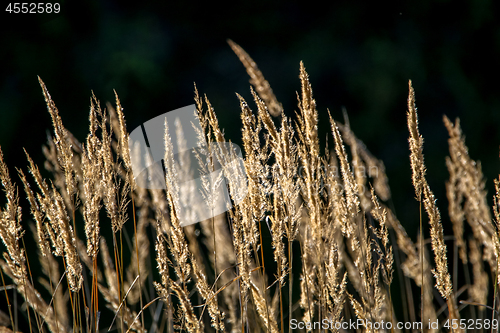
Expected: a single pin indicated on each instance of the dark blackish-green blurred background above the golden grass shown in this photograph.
(359, 56)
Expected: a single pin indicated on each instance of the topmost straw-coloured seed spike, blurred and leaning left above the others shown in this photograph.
(257, 80)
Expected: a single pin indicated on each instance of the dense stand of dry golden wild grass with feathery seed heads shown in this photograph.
(313, 243)
